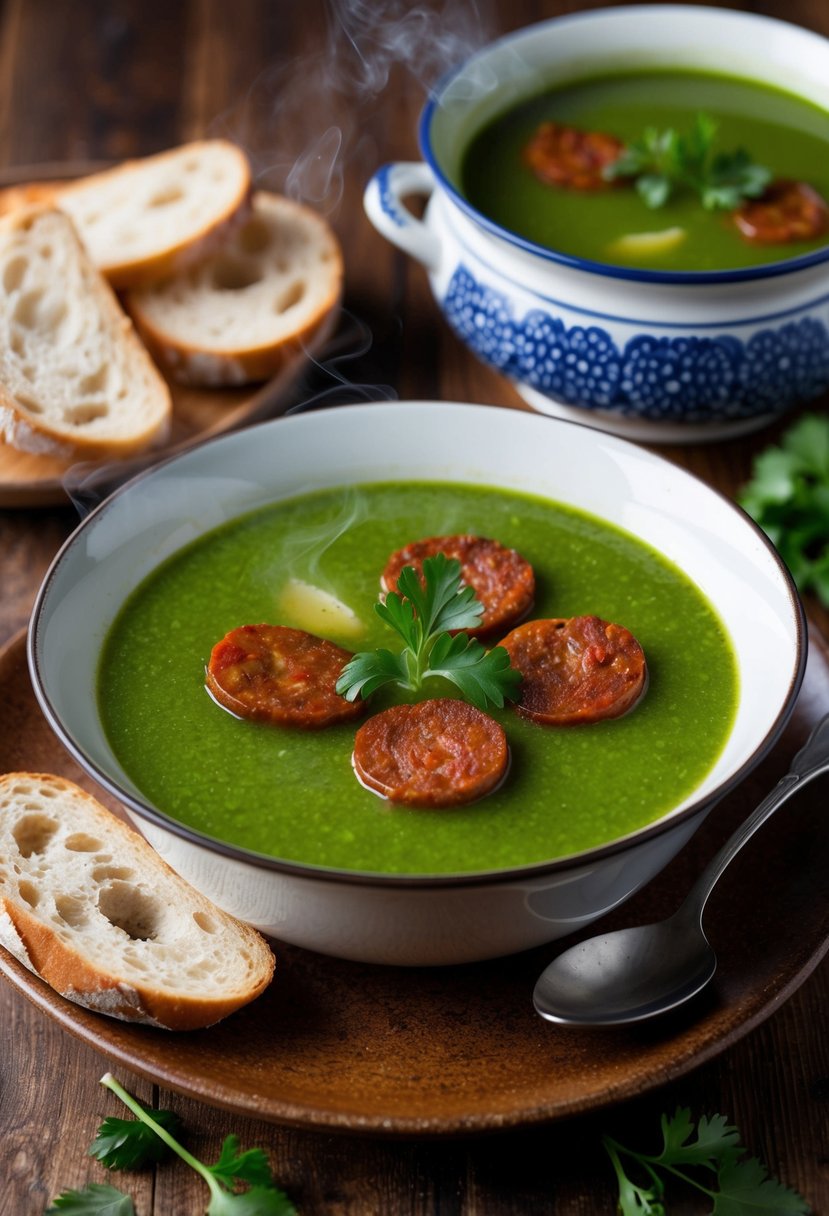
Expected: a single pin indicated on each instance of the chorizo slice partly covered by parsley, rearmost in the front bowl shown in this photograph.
(500, 577)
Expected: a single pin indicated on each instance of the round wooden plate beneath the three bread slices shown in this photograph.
(29, 480)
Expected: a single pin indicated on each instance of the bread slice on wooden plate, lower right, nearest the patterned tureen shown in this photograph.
(240, 316)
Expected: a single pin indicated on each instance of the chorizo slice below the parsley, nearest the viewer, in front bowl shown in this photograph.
(436, 753)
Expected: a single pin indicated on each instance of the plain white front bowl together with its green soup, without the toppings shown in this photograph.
(291, 525)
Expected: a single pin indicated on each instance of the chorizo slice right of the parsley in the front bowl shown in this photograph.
(578, 671)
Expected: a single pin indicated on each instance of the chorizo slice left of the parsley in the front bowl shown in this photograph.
(280, 675)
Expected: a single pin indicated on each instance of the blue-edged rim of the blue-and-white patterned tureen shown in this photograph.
(630, 274)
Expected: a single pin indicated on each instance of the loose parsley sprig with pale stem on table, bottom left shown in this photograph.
(127, 1145)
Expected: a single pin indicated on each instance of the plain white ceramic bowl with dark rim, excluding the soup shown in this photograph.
(419, 920)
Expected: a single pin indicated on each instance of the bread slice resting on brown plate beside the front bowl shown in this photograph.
(92, 909)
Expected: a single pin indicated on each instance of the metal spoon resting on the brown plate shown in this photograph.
(634, 975)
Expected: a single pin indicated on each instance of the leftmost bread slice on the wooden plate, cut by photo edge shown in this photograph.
(75, 379)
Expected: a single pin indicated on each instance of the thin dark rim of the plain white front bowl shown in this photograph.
(159, 819)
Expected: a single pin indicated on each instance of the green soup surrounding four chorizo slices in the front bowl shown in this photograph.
(292, 795)
